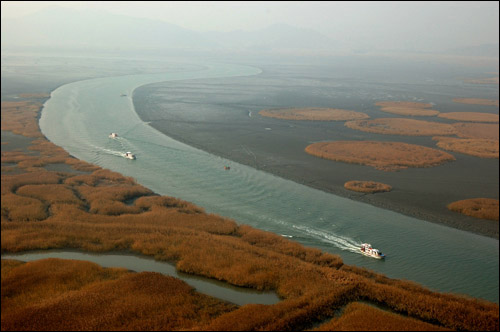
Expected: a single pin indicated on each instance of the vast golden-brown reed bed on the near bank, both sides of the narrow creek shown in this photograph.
(312, 284)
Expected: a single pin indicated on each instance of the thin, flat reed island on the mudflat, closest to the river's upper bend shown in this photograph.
(313, 114)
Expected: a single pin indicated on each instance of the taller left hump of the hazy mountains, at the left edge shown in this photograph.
(63, 27)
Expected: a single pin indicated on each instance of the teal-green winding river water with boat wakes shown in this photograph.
(79, 117)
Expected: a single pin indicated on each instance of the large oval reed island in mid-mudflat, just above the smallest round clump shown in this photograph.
(387, 156)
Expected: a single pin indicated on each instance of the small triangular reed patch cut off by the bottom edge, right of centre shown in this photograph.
(358, 316)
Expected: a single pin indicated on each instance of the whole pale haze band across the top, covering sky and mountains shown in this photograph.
(332, 27)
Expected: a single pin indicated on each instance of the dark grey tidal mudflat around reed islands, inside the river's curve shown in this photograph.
(221, 116)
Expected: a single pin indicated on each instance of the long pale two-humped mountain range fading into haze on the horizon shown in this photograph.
(96, 30)
